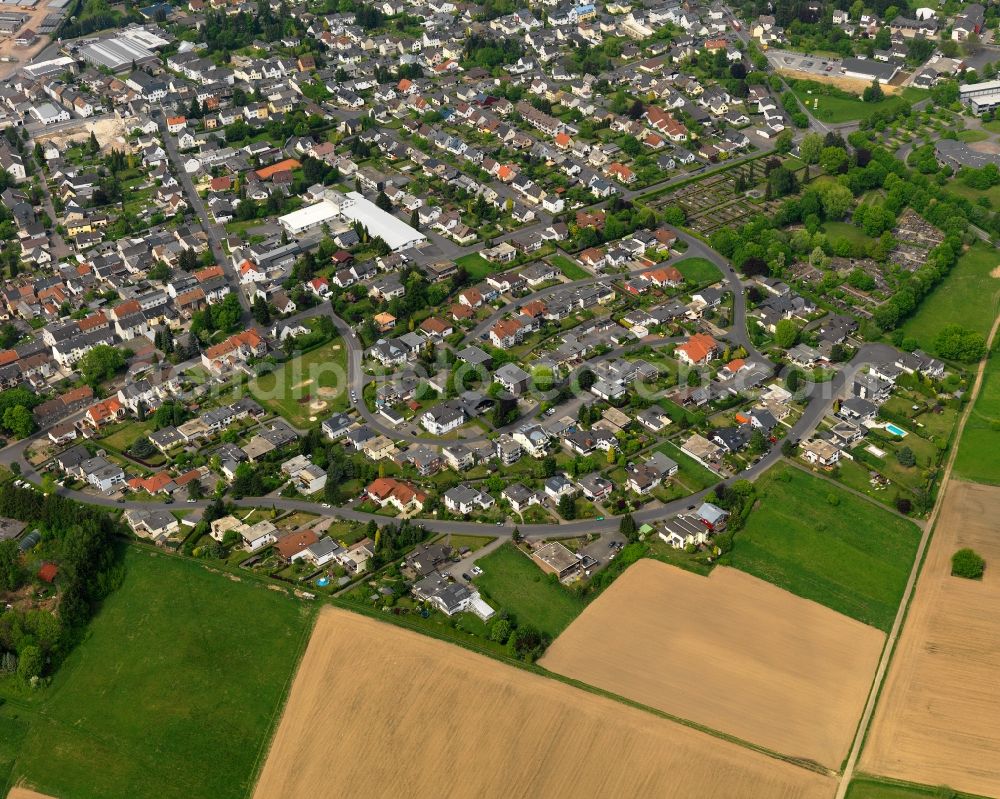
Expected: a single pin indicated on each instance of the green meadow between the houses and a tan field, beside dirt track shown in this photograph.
(851, 556)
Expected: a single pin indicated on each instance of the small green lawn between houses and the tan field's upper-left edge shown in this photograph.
(511, 581)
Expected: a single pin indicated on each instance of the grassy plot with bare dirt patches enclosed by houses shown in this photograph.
(291, 388)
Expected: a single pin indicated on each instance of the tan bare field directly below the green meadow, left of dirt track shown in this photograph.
(727, 651)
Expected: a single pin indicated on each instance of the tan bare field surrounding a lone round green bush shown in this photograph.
(937, 720)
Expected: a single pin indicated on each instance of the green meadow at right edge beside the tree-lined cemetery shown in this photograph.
(967, 296)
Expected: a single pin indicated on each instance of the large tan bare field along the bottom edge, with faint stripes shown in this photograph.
(376, 710)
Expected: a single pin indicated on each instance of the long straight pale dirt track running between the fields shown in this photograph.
(900, 663)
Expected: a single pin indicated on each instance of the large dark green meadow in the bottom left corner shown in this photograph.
(174, 692)
